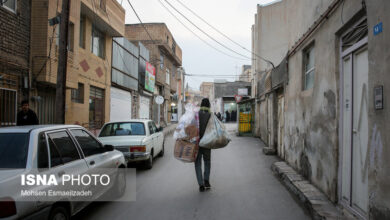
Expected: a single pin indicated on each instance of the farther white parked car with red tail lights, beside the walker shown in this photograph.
(139, 140)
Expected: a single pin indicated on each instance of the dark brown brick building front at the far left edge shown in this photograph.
(15, 17)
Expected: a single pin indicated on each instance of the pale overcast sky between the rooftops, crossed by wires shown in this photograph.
(233, 17)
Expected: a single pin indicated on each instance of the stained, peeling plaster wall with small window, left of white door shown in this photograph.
(311, 117)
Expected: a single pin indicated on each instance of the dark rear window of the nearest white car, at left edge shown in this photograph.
(13, 150)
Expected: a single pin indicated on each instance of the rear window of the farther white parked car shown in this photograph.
(122, 129)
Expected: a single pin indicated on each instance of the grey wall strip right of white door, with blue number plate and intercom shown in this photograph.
(379, 120)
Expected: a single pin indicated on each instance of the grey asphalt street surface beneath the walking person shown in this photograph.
(243, 187)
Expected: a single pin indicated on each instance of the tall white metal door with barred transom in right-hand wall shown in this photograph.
(354, 110)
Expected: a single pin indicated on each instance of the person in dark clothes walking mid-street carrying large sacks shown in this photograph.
(203, 179)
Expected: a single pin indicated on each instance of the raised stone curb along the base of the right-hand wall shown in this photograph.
(313, 199)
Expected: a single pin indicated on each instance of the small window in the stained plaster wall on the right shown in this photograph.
(309, 67)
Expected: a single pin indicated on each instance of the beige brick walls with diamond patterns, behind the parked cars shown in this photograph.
(111, 21)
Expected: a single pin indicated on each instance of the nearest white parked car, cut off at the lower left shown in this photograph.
(55, 151)
